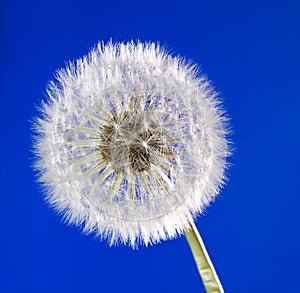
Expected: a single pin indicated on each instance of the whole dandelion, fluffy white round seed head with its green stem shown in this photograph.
(131, 145)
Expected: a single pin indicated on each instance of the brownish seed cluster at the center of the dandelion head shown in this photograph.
(127, 143)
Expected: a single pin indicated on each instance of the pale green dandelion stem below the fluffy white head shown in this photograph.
(205, 267)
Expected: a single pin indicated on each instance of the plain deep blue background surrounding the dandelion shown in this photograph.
(250, 49)
